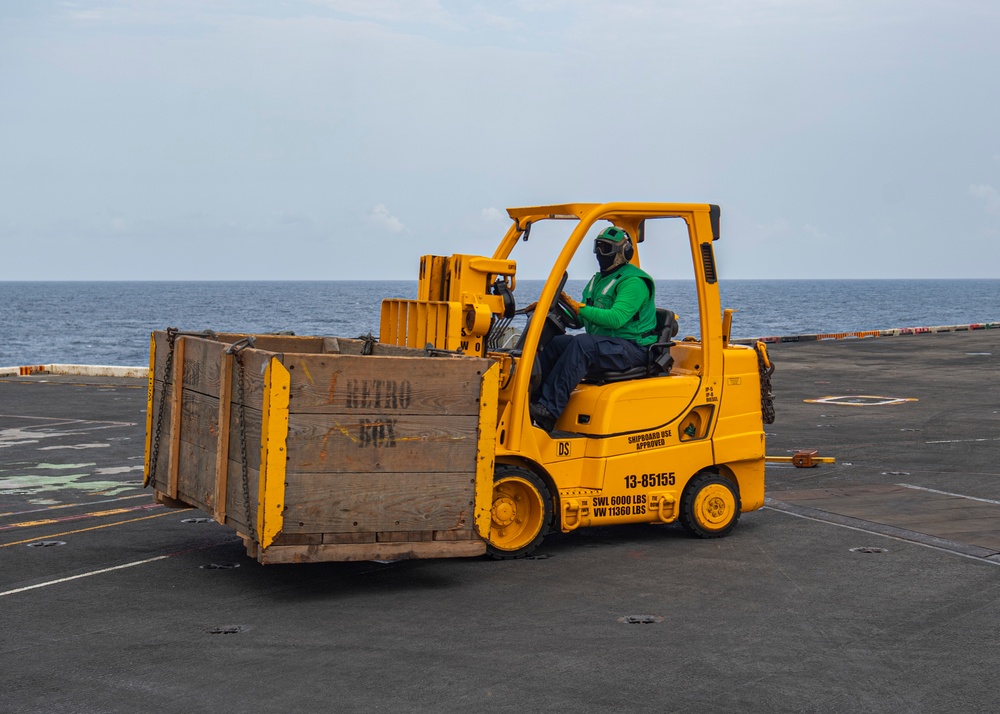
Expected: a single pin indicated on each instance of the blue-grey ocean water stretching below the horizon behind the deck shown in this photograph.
(108, 323)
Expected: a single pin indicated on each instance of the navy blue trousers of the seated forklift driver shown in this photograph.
(567, 359)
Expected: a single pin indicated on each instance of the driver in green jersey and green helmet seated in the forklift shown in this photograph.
(619, 314)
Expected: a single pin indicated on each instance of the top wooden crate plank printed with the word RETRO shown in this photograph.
(346, 384)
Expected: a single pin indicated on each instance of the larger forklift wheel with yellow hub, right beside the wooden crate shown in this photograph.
(520, 515)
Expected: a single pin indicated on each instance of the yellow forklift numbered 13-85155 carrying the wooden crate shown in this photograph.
(679, 440)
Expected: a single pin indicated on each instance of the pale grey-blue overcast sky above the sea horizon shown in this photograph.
(342, 139)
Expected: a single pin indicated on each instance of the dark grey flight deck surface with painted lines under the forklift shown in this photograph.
(784, 615)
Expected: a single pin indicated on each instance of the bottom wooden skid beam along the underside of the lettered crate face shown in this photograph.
(370, 551)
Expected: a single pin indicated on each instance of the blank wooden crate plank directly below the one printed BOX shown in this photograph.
(355, 502)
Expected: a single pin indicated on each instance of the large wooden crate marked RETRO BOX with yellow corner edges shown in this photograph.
(344, 455)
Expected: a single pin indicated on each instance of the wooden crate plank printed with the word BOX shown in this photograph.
(368, 442)
